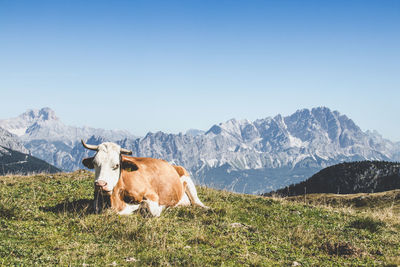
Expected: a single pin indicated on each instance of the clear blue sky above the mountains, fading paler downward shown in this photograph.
(174, 65)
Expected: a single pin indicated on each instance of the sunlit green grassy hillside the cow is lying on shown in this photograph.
(46, 220)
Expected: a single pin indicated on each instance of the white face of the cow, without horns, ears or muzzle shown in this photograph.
(106, 163)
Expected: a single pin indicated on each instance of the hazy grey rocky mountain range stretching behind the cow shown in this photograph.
(237, 155)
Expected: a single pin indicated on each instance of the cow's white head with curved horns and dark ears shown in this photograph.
(107, 165)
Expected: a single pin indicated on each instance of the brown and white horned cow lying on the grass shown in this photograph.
(150, 184)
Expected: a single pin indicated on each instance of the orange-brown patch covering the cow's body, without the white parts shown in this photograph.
(156, 175)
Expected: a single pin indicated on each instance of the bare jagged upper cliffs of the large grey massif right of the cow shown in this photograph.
(320, 127)
